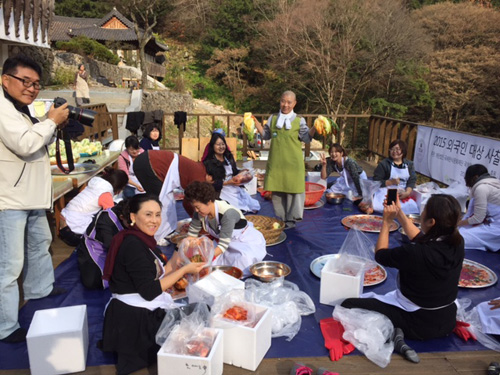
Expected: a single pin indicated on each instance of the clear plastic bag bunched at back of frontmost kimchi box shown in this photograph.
(195, 313)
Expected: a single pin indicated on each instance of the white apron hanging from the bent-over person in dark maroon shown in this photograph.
(168, 213)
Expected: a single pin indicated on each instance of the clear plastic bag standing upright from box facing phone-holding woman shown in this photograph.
(357, 247)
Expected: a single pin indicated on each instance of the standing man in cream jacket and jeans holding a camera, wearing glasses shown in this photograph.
(25, 193)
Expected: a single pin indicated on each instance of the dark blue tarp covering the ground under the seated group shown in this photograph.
(319, 233)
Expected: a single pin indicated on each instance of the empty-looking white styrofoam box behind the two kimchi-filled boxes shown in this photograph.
(212, 286)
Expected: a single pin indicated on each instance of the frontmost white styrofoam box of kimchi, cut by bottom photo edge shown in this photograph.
(178, 364)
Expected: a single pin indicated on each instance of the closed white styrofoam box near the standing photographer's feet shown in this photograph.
(58, 340)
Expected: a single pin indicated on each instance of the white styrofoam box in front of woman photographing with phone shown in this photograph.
(335, 287)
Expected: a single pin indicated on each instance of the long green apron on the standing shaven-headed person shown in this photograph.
(285, 171)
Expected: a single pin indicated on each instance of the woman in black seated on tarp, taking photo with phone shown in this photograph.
(423, 307)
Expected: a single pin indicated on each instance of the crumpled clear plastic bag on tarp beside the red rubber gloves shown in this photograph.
(369, 331)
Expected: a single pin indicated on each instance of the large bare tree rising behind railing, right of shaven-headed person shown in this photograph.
(332, 49)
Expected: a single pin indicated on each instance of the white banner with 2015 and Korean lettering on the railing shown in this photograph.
(444, 155)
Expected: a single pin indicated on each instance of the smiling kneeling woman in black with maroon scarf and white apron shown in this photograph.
(138, 278)
